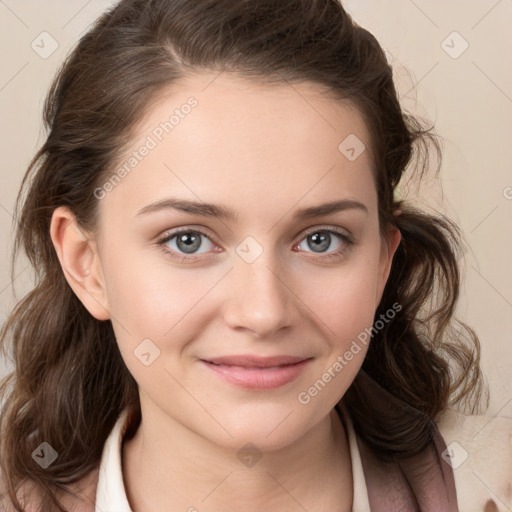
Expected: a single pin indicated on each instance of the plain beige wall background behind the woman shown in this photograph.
(469, 96)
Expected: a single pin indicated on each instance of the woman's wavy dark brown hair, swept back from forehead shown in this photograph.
(70, 382)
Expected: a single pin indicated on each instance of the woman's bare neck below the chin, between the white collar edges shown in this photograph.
(172, 468)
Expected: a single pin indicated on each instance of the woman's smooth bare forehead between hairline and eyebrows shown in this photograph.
(225, 136)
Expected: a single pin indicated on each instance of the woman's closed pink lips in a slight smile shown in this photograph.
(252, 372)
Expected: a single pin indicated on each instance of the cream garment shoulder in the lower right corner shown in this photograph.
(479, 450)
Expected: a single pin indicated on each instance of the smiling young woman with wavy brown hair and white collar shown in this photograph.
(234, 309)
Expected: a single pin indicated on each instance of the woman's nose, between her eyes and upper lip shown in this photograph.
(261, 298)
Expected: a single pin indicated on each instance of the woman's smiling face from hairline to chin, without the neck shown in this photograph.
(230, 316)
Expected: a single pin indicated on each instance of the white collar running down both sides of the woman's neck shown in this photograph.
(111, 494)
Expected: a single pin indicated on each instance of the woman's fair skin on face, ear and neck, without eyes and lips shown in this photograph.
(264, 151)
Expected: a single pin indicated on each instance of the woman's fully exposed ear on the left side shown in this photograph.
(80, 262)
